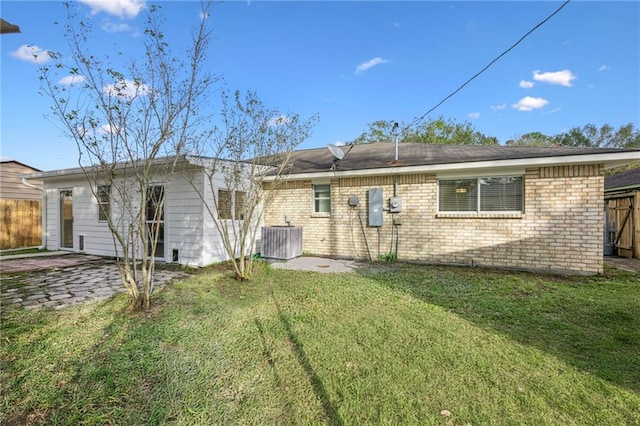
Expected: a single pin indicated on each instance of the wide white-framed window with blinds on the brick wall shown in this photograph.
(482, 195)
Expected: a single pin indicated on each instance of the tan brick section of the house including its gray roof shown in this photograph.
(521, 207)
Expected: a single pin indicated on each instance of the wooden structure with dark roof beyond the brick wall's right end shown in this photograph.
(622, 217)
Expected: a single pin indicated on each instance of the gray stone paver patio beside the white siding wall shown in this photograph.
(95, 279)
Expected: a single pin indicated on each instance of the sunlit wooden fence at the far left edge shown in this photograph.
(20, 223)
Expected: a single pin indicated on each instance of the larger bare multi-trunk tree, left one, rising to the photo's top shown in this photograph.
(132, 121)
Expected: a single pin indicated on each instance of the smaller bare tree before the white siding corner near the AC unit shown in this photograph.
(252, 142)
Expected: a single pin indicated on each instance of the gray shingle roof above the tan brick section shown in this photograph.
(382, 155)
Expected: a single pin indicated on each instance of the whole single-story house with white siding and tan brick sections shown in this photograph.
(521, 207)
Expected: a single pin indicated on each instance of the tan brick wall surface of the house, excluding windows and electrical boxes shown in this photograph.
(560, 229)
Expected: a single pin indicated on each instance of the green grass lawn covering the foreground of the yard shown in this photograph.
(389, 344)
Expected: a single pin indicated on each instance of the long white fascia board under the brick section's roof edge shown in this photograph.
(610, 159)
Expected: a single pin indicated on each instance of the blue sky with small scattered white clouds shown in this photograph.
(352, 63)
